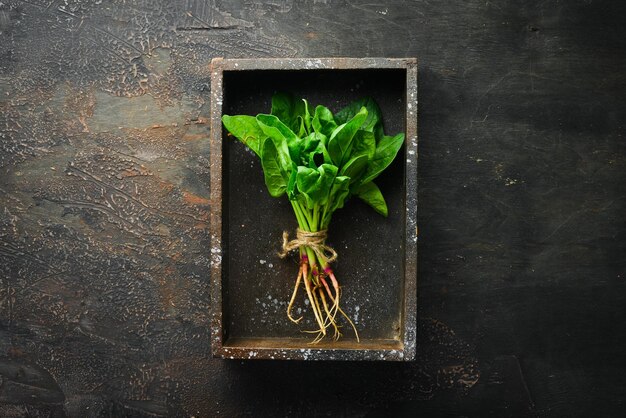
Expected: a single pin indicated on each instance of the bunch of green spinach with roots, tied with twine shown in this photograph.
(319, 160)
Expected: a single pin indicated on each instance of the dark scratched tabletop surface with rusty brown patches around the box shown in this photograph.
(104, 206)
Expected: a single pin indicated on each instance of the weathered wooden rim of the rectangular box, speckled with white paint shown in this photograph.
(404, 350)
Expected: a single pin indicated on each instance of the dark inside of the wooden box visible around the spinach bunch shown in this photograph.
(257, 284)
